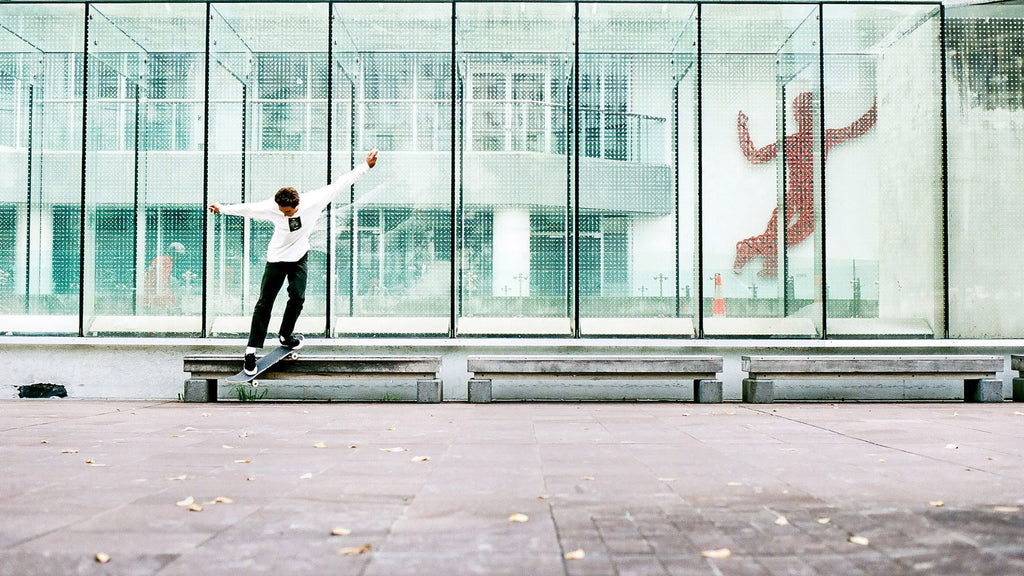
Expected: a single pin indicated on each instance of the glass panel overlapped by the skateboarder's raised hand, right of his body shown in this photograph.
(394, 235)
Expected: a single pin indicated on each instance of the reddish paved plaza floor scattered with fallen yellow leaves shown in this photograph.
(528, 488)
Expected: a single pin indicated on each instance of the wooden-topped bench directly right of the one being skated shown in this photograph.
(702, 369)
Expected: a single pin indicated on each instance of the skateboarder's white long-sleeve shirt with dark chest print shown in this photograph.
(291, 235)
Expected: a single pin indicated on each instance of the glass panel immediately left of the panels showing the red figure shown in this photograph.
(635, 86)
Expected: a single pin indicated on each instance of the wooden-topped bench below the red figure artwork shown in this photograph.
(978, 373)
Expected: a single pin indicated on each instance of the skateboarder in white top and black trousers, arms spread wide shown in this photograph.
(294, 216)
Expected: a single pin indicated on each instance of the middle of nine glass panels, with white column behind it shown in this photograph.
(516, 180)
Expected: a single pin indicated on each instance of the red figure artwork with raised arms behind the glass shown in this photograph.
(800, 170)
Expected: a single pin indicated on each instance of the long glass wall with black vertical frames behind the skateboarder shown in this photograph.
(546, 170)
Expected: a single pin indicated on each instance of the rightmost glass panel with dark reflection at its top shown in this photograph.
(986, 120)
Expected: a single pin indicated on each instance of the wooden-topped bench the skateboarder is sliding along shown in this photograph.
(206, 371)
